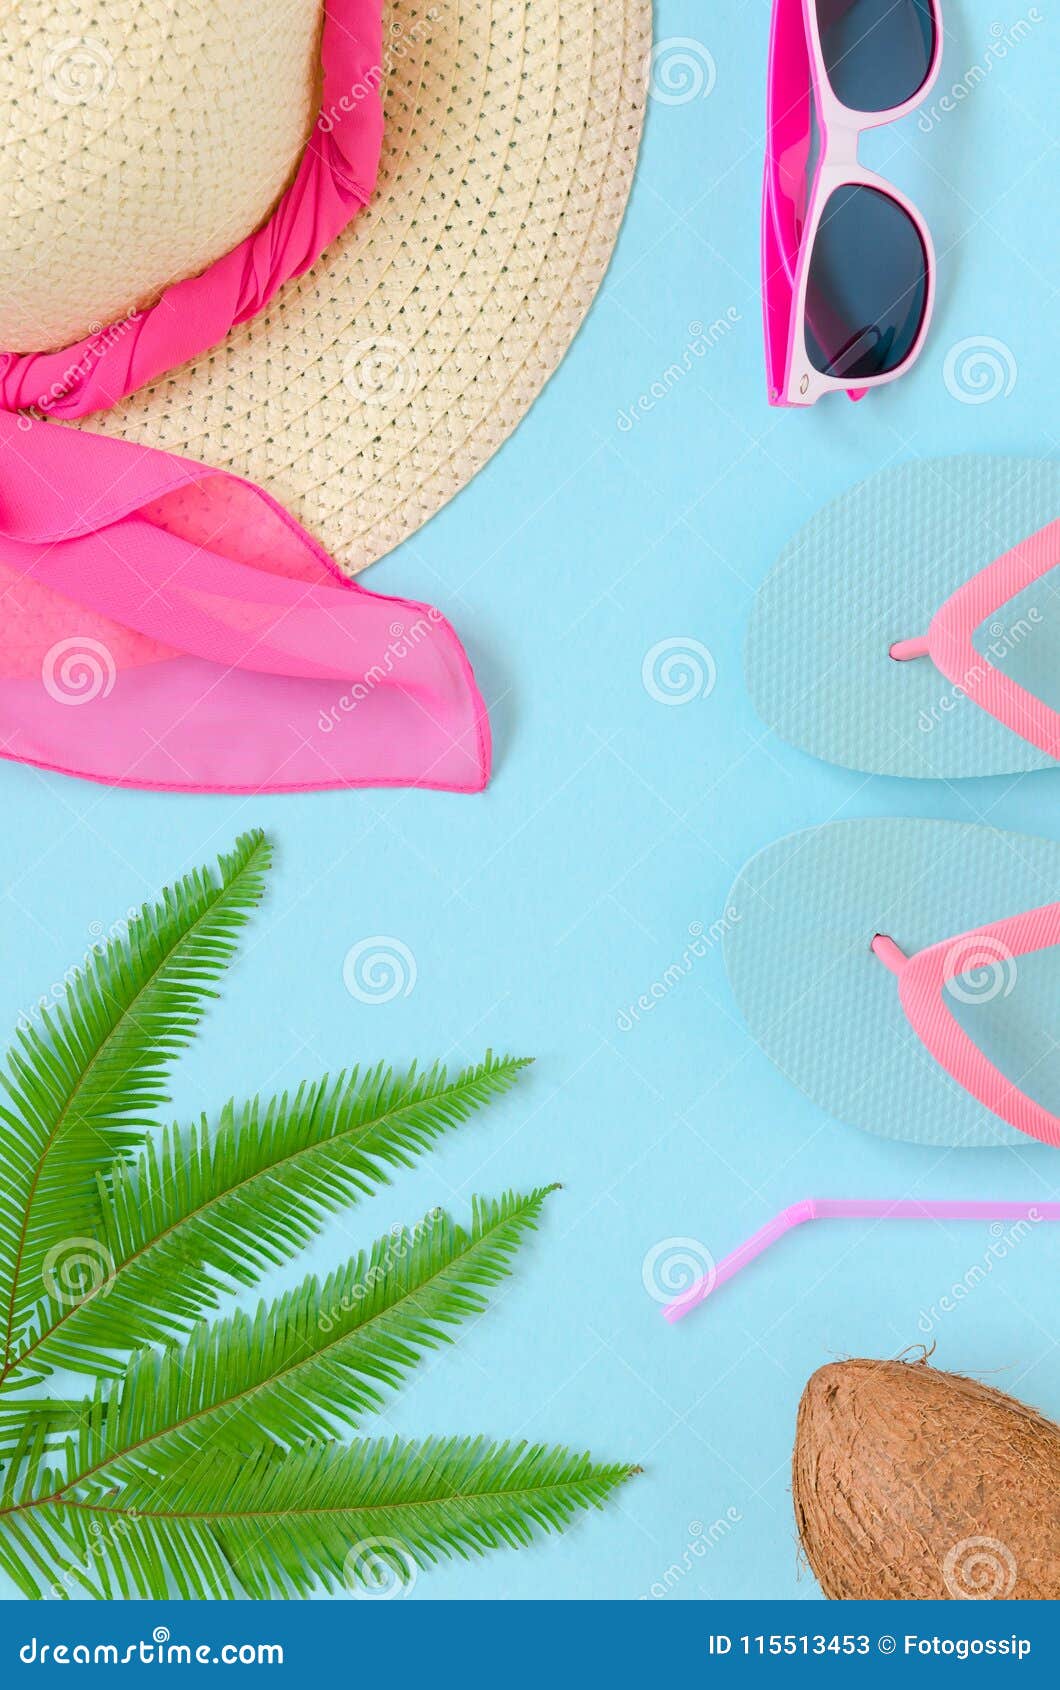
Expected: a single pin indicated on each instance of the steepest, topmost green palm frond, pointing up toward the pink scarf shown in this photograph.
(82, 1088)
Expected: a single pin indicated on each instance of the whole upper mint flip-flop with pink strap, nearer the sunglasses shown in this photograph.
(914, 624)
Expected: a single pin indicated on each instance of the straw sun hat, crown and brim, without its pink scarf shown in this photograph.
(145, 139)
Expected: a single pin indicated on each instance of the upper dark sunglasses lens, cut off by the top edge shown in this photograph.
(878, 53)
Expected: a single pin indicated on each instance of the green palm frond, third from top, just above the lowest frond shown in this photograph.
(320, 1355)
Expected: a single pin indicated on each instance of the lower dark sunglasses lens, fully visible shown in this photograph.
(868, 286)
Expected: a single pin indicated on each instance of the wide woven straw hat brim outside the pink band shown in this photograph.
(376, 386)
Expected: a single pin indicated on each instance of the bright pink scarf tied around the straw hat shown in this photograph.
(217, 643)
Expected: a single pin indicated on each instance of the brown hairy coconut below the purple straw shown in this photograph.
(915, 1483)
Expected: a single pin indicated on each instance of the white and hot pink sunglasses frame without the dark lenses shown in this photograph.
(797, 90)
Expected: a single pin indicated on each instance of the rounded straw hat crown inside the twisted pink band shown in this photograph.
(139, 141)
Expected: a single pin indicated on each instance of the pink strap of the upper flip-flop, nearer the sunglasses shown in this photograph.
(951, 646)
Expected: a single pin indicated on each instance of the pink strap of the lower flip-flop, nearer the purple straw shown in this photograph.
(921, 988)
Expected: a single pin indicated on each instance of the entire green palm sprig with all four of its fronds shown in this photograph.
(210, 1468)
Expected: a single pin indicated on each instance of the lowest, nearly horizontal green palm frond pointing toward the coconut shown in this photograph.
(339, 1515)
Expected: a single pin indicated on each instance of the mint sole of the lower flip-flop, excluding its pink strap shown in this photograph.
(826, 1010)
